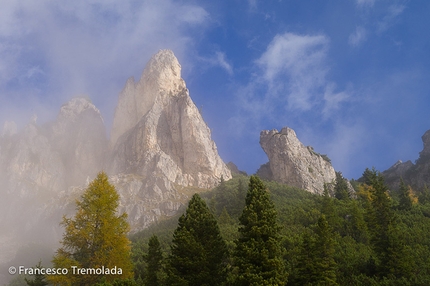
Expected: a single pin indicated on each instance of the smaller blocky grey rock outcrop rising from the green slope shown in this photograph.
(292, 163)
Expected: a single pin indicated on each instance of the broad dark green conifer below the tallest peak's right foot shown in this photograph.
(198, 252)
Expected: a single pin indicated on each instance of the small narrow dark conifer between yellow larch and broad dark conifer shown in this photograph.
(154, 262)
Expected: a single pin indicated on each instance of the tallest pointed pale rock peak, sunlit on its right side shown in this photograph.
(160, 137)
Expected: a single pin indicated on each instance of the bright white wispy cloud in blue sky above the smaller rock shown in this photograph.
(295, 63)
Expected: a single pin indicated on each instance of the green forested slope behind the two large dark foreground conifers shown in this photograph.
(380, 237)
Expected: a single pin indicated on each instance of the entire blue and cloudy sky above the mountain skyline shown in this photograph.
(351, 77)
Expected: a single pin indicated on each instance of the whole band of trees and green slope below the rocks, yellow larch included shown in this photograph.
(250, 232)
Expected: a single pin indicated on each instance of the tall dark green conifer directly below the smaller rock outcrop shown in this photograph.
(258, 254)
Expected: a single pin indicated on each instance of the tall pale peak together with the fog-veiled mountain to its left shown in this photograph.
(160, 147)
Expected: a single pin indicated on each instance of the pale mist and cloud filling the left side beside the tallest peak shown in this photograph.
(49, 54)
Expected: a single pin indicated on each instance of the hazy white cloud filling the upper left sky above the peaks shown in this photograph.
(88, 46)
